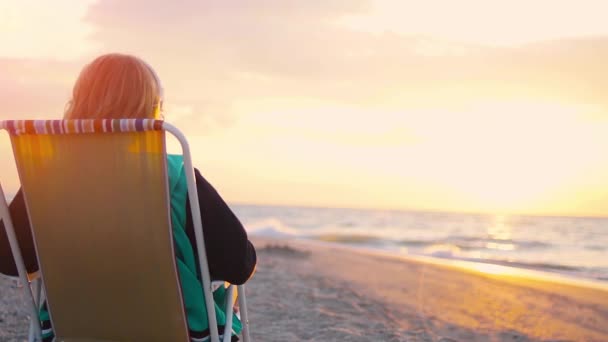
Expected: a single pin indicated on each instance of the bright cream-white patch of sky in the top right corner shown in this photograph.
(489, 22)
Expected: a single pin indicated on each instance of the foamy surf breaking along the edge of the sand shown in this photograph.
(487, 250)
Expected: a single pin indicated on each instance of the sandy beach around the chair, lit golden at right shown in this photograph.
(304, 291)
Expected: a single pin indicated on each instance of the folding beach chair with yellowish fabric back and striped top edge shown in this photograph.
(97, 197)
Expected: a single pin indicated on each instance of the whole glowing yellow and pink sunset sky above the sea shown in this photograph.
(470, 105)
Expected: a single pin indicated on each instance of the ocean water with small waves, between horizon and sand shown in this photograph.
(570, 246)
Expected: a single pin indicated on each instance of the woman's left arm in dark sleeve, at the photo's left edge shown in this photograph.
(21, 224)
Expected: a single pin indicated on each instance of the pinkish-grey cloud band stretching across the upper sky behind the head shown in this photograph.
(215, 56)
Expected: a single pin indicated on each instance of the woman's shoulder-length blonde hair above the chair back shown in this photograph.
(116, 86)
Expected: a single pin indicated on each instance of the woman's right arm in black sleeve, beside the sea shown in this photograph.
(230, 255)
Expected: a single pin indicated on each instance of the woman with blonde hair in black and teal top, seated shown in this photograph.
(123, 86)
